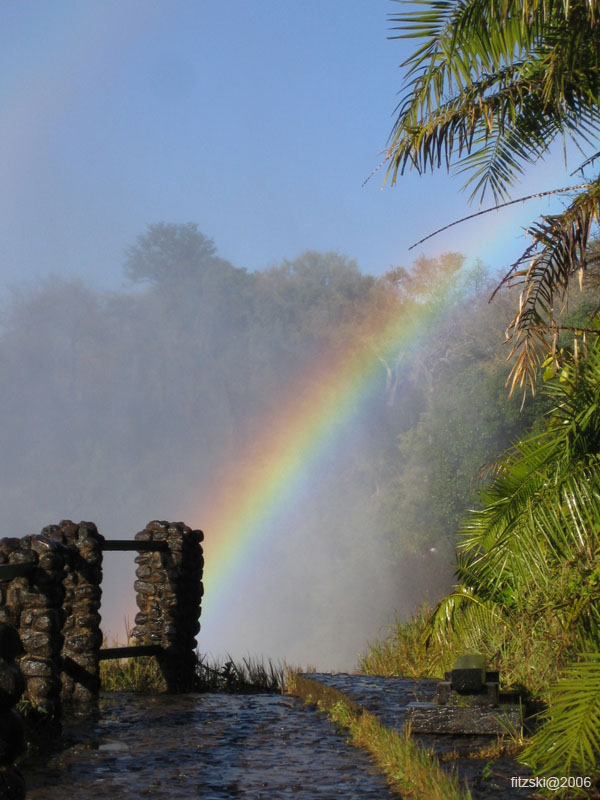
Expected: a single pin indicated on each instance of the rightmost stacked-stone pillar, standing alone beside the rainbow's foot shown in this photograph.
(169, 592)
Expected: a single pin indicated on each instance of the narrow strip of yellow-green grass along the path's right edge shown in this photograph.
(411, 771)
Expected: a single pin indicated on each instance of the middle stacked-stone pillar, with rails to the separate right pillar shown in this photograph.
(80, 674)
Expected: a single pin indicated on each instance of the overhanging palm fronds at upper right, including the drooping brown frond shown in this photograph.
(490, 87)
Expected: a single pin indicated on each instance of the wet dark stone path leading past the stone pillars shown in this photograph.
(210, 746)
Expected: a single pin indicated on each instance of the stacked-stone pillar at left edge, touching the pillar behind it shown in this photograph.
(32, 604)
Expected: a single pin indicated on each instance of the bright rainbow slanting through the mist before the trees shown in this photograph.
(263, 483)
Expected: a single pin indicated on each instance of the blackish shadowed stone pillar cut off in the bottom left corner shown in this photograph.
(12, 731)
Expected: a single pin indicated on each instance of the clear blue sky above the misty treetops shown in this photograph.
(258, 120)
